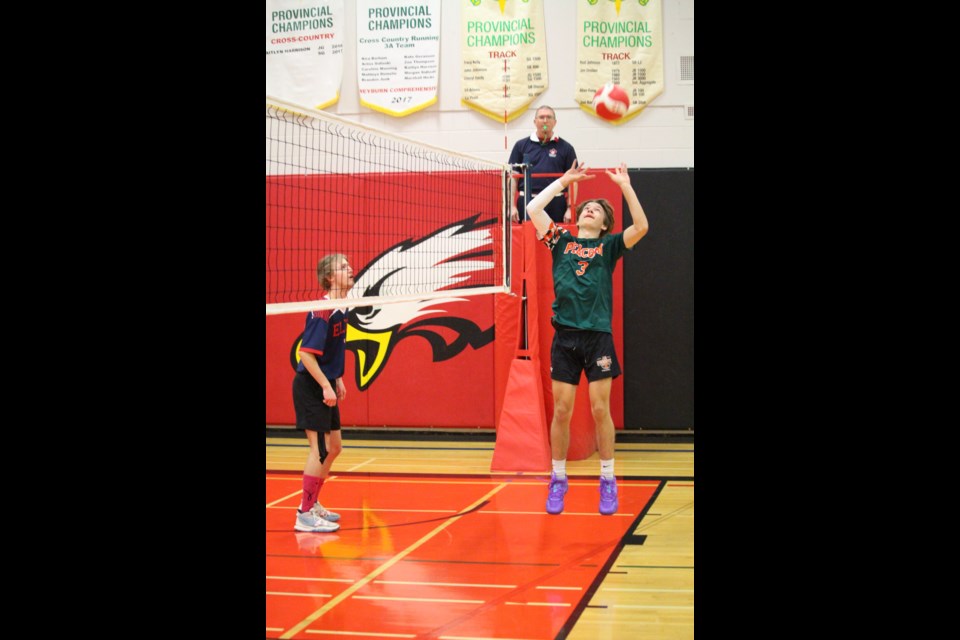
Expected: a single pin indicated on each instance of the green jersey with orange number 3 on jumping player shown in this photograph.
(583, 278)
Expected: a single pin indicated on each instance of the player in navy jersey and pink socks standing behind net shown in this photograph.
(317, 387)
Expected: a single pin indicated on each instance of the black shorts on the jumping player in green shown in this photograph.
(574, 351)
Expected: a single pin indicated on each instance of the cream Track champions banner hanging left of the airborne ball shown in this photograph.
(504, 56)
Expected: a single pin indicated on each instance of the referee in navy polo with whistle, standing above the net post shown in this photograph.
(544, 152)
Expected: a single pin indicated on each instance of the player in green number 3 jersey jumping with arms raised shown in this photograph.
(582, 313)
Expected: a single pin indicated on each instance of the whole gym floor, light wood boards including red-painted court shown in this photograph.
(434, 545)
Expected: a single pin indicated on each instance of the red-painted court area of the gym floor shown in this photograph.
(442, 557)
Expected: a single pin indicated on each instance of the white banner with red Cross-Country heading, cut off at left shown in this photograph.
(305, 51)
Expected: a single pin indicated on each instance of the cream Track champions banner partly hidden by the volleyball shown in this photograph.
(619, 41)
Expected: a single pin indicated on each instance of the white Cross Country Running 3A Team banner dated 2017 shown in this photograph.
(398, 54)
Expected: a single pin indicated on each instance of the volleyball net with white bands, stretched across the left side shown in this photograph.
(416, 222)
